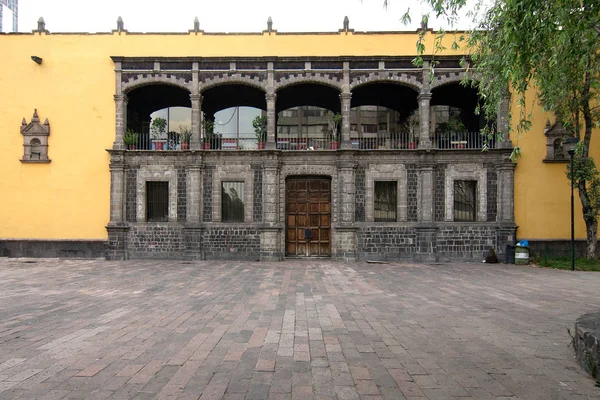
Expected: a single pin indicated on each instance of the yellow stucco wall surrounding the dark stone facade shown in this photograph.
(74, 87)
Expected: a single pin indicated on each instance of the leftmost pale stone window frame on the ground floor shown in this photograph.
(156, 173)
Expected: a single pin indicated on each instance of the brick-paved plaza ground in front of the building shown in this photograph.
(290, 330)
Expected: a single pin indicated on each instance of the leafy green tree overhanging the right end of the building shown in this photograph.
(552, 47)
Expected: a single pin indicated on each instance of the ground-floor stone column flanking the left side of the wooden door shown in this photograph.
(270, 236)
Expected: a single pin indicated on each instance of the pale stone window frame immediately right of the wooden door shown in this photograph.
(396, 173)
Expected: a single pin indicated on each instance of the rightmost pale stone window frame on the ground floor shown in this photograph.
(466, 172)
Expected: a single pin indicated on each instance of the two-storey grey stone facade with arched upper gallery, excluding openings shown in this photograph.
(425, 227)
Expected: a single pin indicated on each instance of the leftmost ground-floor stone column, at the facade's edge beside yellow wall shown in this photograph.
(117, 228)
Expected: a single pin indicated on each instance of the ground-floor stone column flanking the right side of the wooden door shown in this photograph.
(345, 229)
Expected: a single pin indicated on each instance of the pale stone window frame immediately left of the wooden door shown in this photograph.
(233, 173)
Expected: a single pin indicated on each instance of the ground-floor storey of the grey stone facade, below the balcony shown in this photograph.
(417, 234)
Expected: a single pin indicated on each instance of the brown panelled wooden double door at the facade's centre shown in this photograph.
(308, 217)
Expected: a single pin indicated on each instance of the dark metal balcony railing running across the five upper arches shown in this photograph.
(364, 141)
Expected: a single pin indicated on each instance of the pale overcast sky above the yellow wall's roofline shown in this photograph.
(215, 15)
